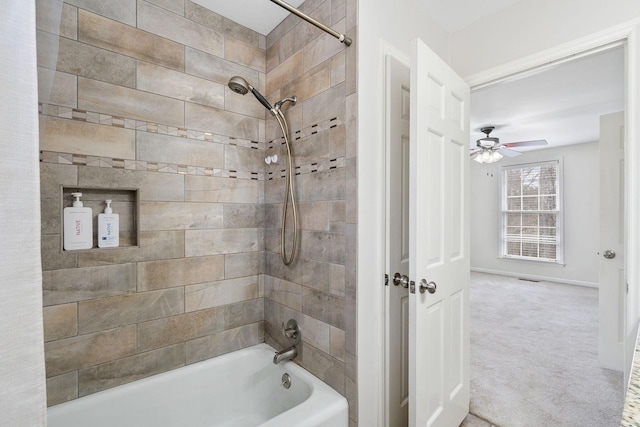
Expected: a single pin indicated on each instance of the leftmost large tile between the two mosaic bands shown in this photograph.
(69, 136)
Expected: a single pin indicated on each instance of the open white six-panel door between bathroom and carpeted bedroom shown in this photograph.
(439, 243)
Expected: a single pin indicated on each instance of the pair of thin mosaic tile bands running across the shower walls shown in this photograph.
(142, 165)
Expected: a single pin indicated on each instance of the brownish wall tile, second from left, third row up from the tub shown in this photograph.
(102, 314)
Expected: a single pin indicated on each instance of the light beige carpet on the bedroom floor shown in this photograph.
(534, 356)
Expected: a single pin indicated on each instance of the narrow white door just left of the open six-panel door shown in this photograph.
(397, 298)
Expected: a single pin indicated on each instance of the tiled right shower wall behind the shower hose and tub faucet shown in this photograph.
(319, 289)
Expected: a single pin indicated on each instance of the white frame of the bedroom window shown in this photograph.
(503, 211)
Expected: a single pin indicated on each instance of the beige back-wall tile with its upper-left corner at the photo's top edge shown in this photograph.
(174, 27)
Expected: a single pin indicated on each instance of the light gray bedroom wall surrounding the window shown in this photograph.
(581, 216)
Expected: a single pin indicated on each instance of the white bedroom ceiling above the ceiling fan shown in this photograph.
(562, 104)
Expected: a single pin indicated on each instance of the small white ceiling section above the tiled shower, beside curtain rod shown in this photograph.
(259, 15)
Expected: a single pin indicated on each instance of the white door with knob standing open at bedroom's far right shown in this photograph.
(612, 286)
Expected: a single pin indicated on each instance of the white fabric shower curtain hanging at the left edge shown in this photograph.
(22, 383)
